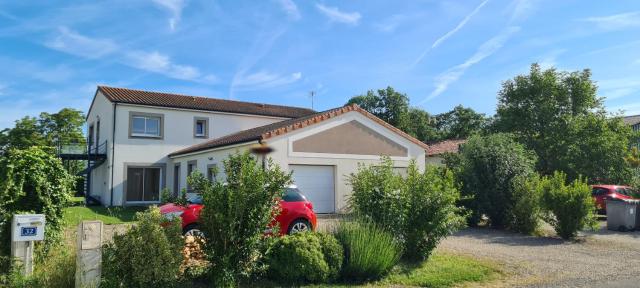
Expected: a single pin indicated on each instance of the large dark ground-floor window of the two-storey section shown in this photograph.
(143, 184)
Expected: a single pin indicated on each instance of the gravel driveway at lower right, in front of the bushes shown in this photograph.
(598, 259)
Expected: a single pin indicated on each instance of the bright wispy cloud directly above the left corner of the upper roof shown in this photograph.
(71, 42)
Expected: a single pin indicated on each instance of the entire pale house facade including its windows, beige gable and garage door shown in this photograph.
(137, 168)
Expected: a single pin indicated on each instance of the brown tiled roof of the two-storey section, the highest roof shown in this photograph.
(161, 99)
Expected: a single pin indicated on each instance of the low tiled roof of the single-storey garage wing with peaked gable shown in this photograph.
(279, 128)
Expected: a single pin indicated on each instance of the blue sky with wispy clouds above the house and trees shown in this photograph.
(441, 53)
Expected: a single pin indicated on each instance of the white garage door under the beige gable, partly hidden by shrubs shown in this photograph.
(317, 183)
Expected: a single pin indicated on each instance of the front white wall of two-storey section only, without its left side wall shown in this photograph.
(177, 134)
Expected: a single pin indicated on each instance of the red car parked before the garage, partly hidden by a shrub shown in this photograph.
(296, 213)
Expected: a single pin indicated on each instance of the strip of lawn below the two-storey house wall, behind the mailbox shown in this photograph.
(108, 215)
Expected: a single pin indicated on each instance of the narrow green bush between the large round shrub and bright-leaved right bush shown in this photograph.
(525, 215)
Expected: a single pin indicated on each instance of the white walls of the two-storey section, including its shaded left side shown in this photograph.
(177, 133)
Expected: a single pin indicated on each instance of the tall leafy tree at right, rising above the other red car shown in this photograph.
(554, 113)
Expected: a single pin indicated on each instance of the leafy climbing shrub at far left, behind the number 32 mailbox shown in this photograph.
(33, 180)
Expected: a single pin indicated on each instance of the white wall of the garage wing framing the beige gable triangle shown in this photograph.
(343, 164)
